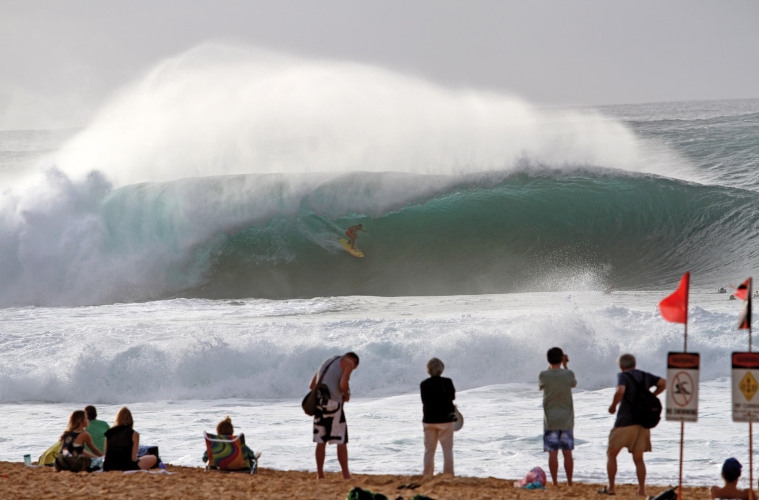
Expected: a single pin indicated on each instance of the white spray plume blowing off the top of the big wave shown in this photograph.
(220, 110)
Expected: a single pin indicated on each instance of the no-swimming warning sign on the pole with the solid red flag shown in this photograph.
(682, 386)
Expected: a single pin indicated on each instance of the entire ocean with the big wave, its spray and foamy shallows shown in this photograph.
(179, 255)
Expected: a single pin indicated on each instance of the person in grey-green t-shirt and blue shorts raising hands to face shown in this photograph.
(558, 412)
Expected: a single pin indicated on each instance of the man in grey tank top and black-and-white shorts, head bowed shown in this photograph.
(330, 425)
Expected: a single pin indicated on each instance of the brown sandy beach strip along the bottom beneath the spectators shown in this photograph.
(20, 482)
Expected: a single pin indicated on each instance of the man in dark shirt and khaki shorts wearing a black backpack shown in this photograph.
(627, 433)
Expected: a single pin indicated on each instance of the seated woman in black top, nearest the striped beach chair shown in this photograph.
(122, 443)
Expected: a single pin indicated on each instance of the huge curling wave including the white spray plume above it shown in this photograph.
(235, 170)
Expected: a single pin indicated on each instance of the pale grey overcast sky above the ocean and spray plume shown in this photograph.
(61, 59)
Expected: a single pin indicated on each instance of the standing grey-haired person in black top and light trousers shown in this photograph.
(438, 394)
